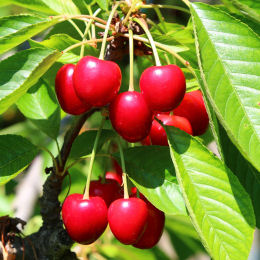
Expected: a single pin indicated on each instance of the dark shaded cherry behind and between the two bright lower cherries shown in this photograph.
(108, 191)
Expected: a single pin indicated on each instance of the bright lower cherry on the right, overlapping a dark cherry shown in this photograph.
(127, 219)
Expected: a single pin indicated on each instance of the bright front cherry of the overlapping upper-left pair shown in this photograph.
(96, 81)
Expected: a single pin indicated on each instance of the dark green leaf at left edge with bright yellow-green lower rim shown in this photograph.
(16, 154)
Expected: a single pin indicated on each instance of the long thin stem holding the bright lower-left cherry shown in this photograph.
(92, 158)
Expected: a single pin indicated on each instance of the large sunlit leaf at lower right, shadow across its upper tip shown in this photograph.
(219, 207)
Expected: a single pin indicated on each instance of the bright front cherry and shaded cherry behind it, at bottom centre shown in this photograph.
(135, 221)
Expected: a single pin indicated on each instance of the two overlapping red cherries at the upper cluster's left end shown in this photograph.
(90, 83)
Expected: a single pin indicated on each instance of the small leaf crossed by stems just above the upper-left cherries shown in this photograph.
(61, 42)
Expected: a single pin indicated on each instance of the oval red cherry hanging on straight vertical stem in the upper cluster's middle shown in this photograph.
(130, 116)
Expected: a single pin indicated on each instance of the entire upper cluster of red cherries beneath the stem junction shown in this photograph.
(95, 83)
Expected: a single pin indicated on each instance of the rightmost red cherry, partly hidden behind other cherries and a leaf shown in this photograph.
(193, 108)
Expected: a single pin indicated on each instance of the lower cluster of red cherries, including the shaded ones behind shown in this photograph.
(133, 221)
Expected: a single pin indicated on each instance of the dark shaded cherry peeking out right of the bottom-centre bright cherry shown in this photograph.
(154, 229)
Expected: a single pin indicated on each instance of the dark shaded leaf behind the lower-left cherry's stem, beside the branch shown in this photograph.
(83, 144)
